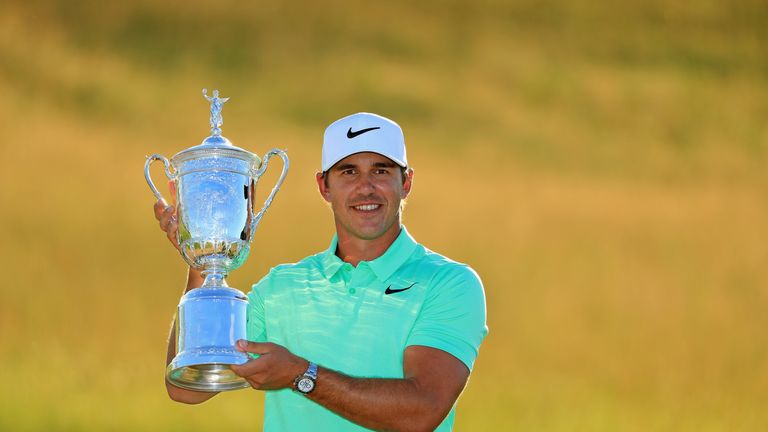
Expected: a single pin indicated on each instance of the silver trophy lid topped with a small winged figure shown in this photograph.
(215, 145)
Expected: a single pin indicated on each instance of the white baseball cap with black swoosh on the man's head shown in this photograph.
(363, 132)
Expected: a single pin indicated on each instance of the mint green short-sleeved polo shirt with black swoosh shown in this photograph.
(359, 320)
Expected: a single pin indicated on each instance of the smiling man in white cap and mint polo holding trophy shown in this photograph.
(377, 331)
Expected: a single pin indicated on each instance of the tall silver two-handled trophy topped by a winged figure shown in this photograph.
(214, 185)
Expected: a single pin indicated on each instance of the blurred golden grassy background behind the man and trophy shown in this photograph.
(602, 165)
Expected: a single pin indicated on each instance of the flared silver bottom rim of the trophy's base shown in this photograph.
(207, 377)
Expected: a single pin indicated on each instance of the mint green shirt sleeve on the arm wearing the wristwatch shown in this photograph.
(453, 316)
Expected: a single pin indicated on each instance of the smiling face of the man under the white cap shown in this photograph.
(365, 191)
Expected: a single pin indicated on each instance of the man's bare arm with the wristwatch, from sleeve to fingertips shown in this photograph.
(432, 381)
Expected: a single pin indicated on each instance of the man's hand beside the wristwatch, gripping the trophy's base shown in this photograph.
(274, 369)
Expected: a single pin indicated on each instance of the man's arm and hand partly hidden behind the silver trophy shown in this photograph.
(165, 216)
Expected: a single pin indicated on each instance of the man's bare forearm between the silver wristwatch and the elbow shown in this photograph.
(378, 403)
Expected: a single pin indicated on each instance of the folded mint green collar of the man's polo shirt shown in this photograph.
(383, 266)
